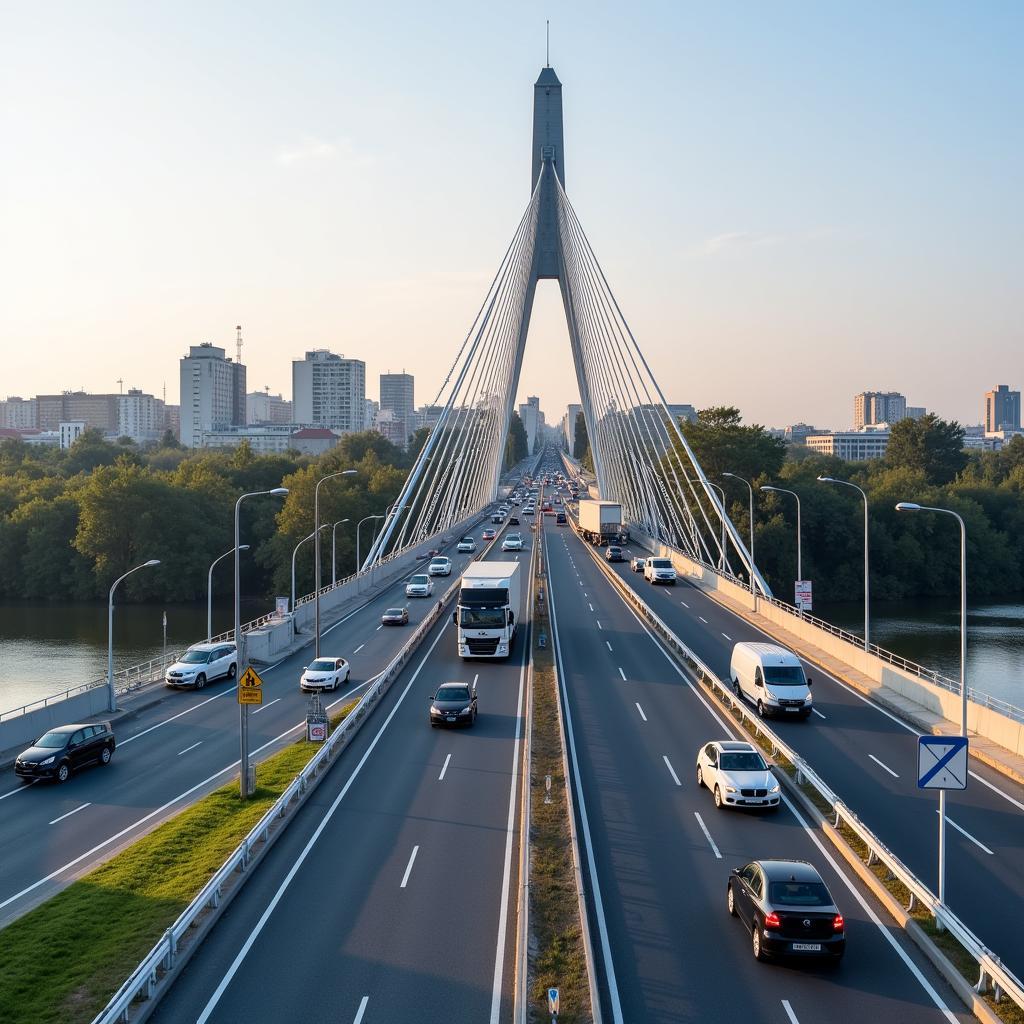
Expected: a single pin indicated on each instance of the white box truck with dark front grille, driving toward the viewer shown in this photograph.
(488, 610)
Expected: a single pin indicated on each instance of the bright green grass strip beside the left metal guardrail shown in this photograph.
(61, 963)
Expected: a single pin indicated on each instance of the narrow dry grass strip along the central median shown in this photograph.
(558, 958)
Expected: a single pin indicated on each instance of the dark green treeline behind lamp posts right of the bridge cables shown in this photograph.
(914, 554)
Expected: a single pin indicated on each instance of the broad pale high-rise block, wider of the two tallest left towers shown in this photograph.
(330, 392)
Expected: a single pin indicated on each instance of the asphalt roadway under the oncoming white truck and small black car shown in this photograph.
(393, 891)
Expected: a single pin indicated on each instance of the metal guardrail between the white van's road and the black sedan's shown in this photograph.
(993, 973)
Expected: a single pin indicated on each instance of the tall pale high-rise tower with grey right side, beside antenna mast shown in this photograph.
(214, 393)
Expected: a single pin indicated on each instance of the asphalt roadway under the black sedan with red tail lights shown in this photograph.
(676, 954)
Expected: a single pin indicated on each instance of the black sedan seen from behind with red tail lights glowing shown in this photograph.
(788, 910)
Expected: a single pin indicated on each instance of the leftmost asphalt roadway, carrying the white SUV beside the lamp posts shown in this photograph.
(176, 752)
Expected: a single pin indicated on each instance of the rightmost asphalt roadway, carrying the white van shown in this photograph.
(871, 761)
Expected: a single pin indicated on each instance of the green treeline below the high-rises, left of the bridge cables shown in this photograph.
(72, 522)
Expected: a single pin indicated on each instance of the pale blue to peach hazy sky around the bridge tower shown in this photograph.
(793, 202)
